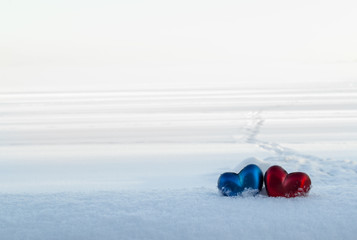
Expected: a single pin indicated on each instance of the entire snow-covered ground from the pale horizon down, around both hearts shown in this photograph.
(144, 164)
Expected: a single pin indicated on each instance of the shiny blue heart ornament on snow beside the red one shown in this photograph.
(249, 178)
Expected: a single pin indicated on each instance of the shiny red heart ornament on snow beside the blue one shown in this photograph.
(279, 183)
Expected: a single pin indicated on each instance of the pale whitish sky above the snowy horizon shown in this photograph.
(108, 43)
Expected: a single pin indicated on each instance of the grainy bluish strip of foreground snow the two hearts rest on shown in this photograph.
(180, 214)
